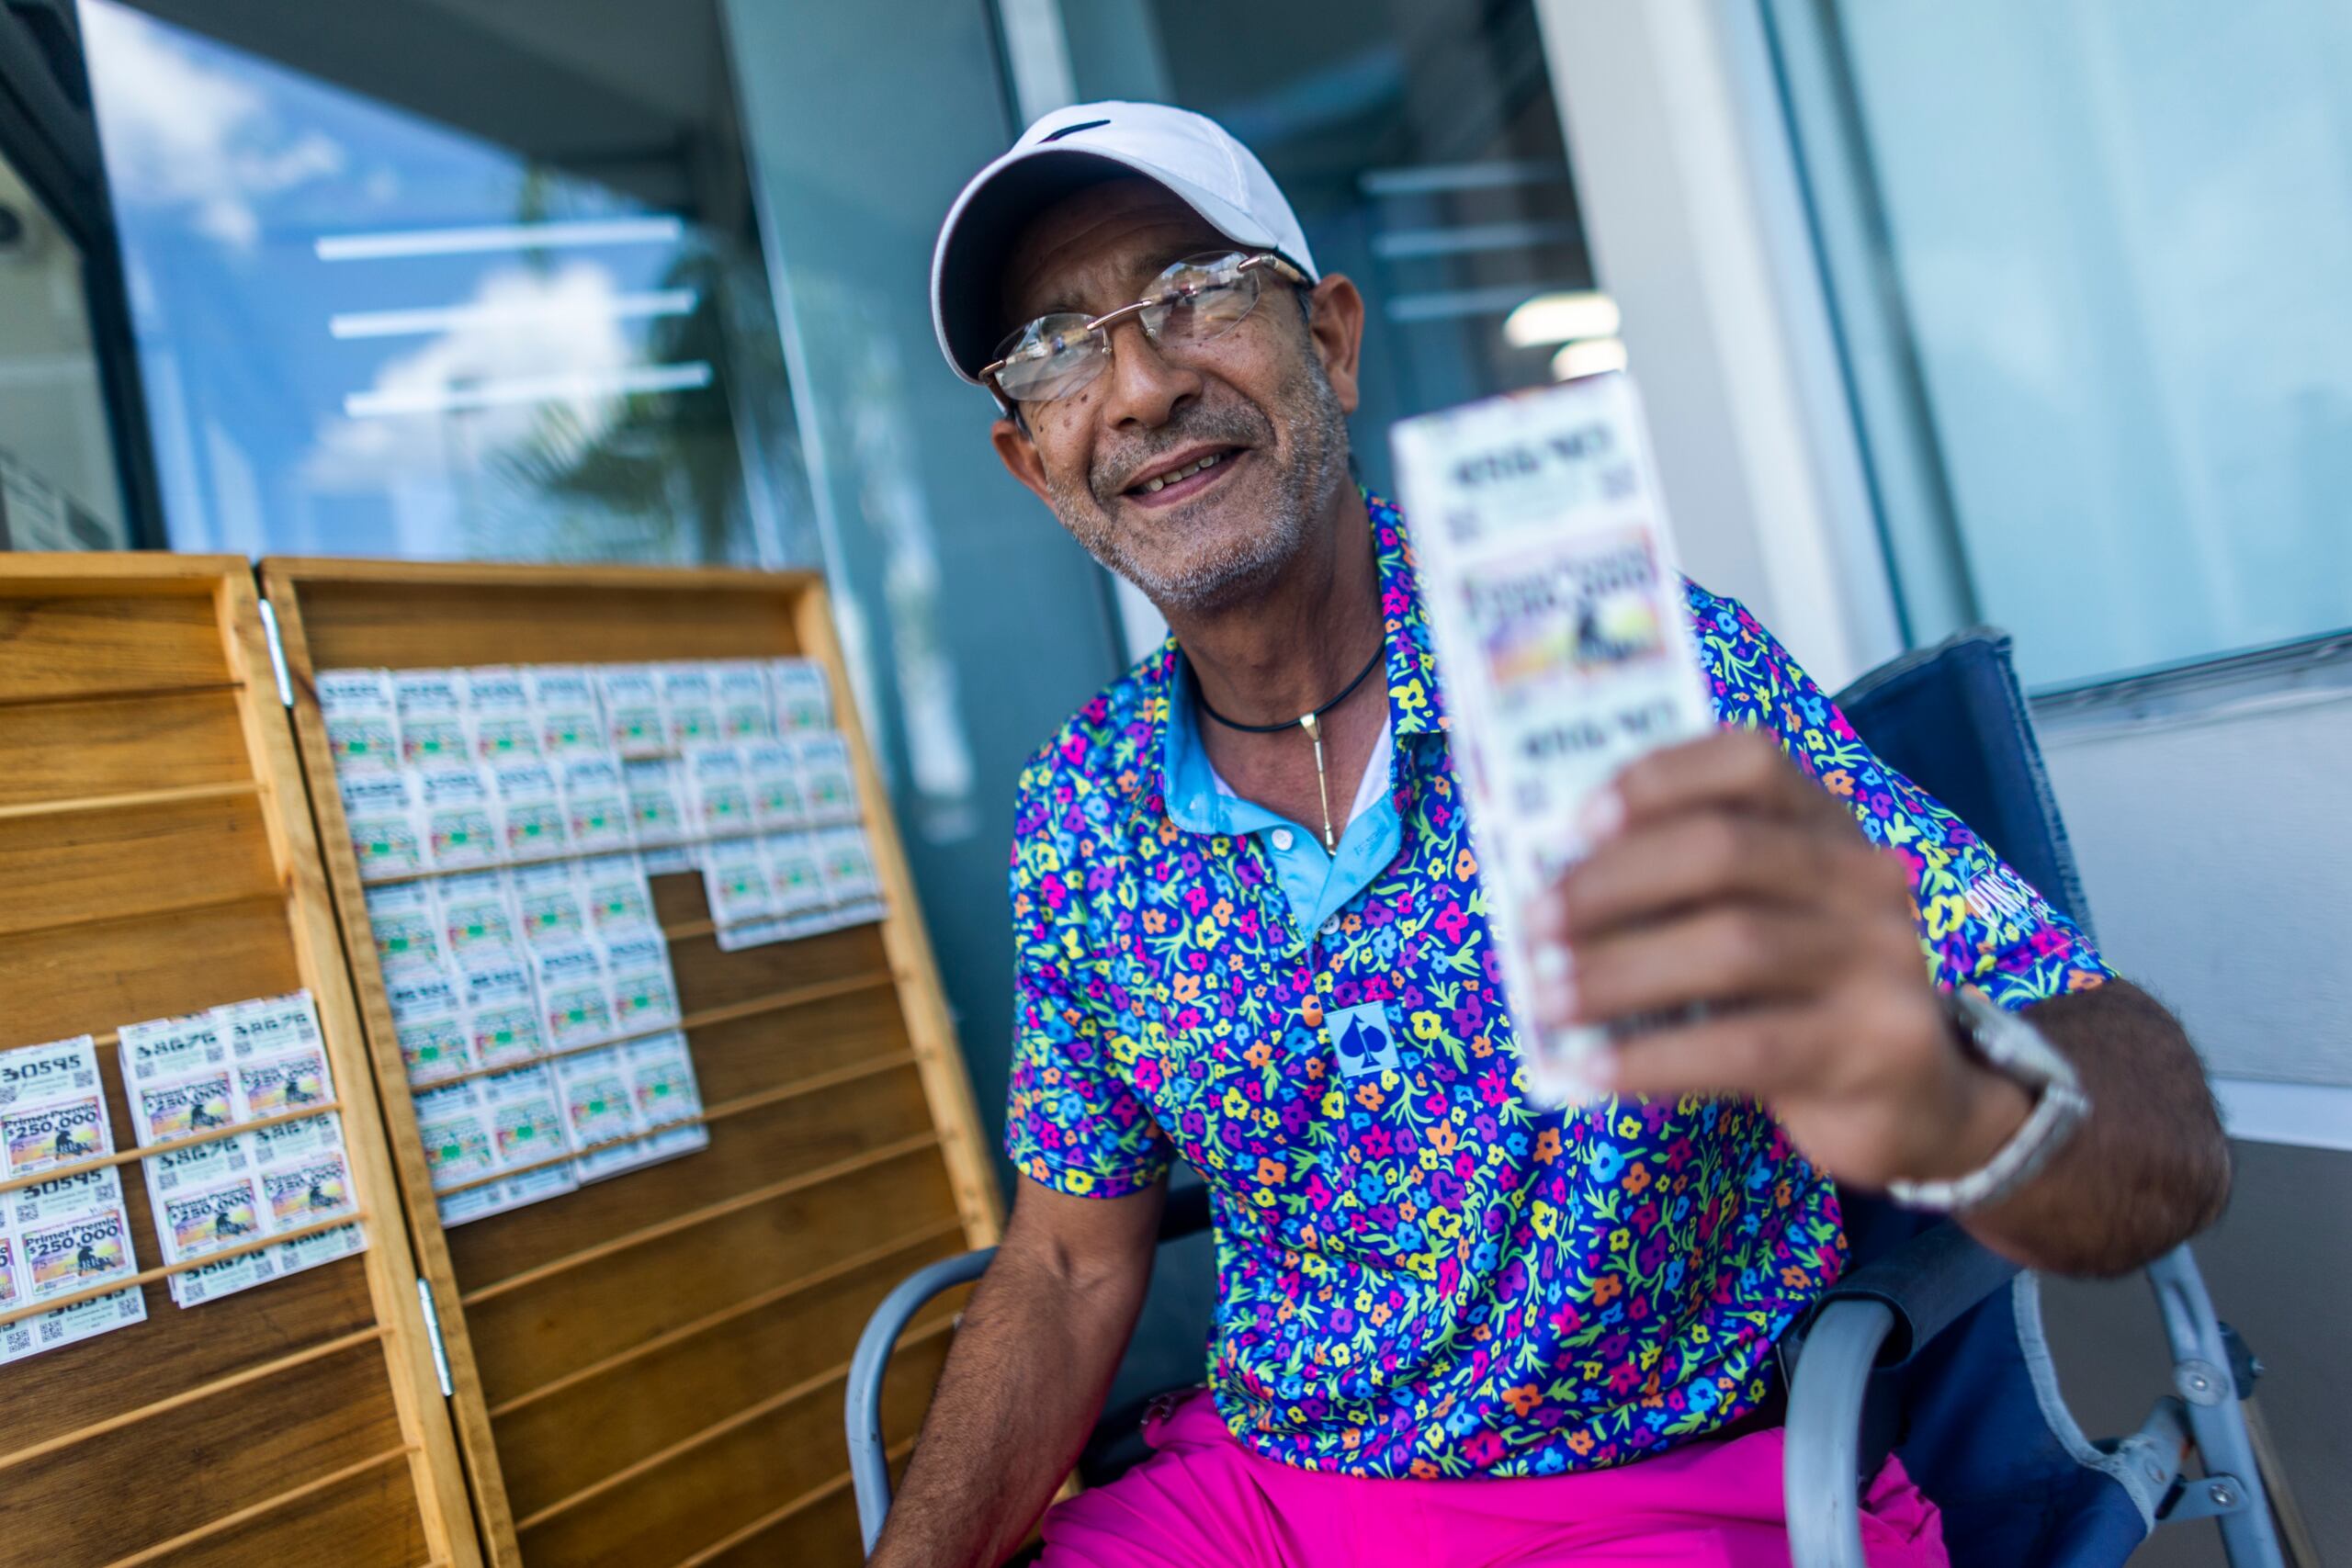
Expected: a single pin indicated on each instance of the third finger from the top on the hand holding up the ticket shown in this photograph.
(1723, 956)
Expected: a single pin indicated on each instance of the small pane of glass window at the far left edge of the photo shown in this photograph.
(58, 457)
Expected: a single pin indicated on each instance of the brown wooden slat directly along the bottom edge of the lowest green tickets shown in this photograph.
(744, 1153)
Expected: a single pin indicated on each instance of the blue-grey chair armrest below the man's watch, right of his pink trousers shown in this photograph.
(1869, 1320)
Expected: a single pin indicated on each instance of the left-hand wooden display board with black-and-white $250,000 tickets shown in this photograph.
(156, 859)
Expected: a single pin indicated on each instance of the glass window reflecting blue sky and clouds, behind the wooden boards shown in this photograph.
(465, 290)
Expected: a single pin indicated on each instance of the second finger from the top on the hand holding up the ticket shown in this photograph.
(1695, 859)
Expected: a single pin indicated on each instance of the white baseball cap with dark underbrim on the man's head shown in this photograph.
(1081, 147)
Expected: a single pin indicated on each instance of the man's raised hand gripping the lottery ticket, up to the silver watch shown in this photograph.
(1723, 876)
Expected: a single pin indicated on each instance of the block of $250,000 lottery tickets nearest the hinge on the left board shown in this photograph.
(248, 1061)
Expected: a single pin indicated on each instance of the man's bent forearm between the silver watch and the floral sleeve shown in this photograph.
(2151, 1165)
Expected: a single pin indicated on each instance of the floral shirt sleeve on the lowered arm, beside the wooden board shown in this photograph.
(1071, 1120)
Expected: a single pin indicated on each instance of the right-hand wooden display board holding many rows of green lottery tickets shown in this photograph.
(650, 1369)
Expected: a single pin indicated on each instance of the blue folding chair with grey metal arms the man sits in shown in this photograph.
(1932, 1346)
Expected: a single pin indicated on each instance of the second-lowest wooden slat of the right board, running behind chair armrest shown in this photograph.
(735, 1480)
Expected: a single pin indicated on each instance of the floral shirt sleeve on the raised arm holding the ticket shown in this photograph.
(1979, 923)
